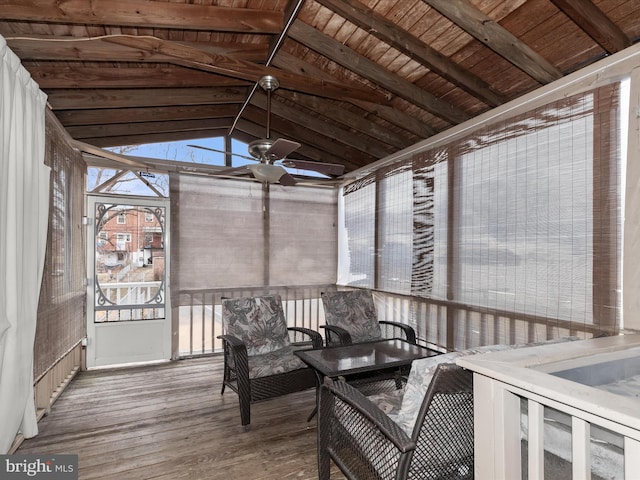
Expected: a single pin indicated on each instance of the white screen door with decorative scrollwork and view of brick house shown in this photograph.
(128, 311)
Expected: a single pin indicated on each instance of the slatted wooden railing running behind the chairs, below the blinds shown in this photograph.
(439, 324)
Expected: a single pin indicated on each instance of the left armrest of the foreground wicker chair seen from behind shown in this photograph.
(366, 411)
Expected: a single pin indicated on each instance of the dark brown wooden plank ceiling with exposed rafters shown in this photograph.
(359, 79)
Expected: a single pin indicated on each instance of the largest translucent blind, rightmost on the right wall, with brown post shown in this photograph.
(536, 230)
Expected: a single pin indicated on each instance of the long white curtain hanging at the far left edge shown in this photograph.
(24, 208)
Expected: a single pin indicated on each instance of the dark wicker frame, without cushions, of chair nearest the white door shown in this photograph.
(251, 390)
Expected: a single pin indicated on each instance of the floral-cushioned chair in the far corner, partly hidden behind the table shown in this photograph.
(351, 317)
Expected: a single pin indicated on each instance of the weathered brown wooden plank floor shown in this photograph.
(170, 422)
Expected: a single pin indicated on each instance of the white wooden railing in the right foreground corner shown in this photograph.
(520, 399)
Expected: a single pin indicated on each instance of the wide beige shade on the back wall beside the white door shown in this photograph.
(229, 233)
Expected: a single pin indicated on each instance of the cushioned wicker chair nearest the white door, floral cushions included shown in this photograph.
(258, 353)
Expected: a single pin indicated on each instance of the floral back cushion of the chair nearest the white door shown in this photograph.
(258, 321)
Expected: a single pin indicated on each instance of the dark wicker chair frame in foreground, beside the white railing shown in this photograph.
(366, 443)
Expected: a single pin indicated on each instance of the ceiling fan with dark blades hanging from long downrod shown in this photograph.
(268, 151)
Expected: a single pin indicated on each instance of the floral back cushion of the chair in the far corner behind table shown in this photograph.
(354, 311)
